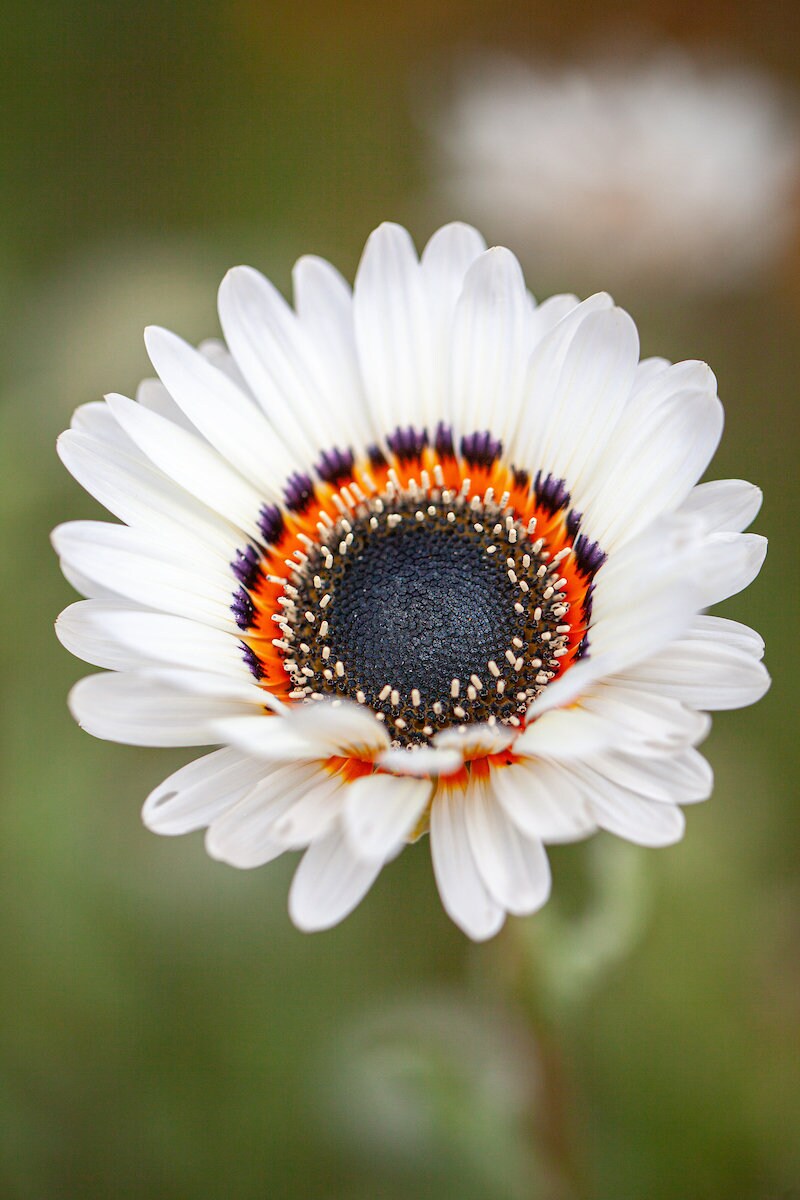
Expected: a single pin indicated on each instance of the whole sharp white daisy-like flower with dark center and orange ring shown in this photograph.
(420, 557)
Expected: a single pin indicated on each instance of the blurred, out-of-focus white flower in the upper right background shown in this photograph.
(657, 170)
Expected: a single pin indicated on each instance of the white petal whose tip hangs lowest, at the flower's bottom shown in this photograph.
(464, 893)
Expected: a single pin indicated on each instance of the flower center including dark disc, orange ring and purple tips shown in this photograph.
(437, 590)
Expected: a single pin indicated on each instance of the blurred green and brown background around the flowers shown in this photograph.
(164, 1030)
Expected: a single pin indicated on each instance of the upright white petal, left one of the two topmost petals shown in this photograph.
(394, 333)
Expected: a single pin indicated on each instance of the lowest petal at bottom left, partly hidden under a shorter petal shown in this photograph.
(329, 884)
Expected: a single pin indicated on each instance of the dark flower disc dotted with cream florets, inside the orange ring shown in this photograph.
(432, 613)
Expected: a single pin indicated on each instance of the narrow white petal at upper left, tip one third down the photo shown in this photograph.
(191, 463)
